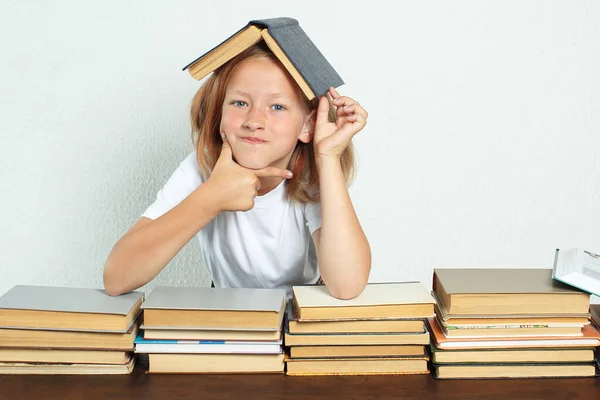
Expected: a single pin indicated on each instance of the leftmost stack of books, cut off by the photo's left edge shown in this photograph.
(57, 330)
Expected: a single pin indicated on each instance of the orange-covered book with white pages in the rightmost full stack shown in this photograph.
(590, 338)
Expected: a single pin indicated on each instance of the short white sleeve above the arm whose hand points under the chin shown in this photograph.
(186, 178)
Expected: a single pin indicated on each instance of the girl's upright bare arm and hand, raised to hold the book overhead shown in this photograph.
(343, 251)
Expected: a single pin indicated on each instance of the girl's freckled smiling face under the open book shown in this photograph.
(264, 116)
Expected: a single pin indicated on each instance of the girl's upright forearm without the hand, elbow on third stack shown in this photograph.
(344, 253)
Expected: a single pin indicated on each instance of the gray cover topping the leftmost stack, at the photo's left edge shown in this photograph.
(66, 299)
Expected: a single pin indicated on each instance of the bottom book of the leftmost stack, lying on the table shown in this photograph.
(66, 369)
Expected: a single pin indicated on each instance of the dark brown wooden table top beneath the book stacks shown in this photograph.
(140, 385)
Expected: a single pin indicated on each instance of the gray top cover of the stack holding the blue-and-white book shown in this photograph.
(215, 299)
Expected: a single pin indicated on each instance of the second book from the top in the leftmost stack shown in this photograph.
(67, 339)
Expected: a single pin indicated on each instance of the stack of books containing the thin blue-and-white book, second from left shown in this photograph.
(211, 330)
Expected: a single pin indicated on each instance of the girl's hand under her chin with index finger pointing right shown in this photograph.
(236, 186)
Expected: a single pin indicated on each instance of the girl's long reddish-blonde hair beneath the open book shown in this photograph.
(206, 113)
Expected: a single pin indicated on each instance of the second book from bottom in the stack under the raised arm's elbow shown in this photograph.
(357, 351)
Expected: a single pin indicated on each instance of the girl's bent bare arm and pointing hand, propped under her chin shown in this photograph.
(150, 244)
